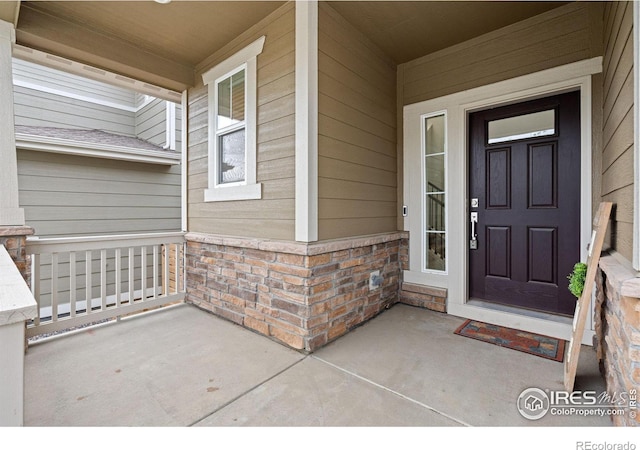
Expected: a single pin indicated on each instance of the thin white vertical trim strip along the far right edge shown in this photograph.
(636, 136)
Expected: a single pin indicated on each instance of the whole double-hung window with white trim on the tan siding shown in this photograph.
(232, 102)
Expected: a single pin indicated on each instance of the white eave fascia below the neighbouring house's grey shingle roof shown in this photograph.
(64, 146)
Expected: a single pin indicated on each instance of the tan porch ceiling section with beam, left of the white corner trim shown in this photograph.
(157, 43)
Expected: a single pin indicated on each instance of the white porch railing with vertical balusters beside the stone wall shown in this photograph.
(82, 280)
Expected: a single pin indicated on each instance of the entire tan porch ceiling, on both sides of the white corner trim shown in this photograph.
(163, 43)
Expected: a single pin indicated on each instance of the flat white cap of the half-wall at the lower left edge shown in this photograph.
(16, 300)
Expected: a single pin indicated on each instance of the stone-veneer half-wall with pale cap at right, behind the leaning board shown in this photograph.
(618, 332)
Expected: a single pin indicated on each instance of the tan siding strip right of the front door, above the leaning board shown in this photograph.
(617, 156)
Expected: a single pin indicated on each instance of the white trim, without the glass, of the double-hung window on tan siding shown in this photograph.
(249, 189)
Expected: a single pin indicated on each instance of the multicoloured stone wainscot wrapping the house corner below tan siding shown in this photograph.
(303, 295)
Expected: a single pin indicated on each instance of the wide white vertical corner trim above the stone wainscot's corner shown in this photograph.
(306, 98)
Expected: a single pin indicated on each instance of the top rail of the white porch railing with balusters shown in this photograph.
(37, 245)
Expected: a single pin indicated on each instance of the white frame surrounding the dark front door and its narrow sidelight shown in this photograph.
(574, 76)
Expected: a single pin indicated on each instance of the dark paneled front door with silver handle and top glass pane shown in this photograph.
(525, 174)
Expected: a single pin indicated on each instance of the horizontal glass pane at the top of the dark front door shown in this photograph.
(522, 127)
